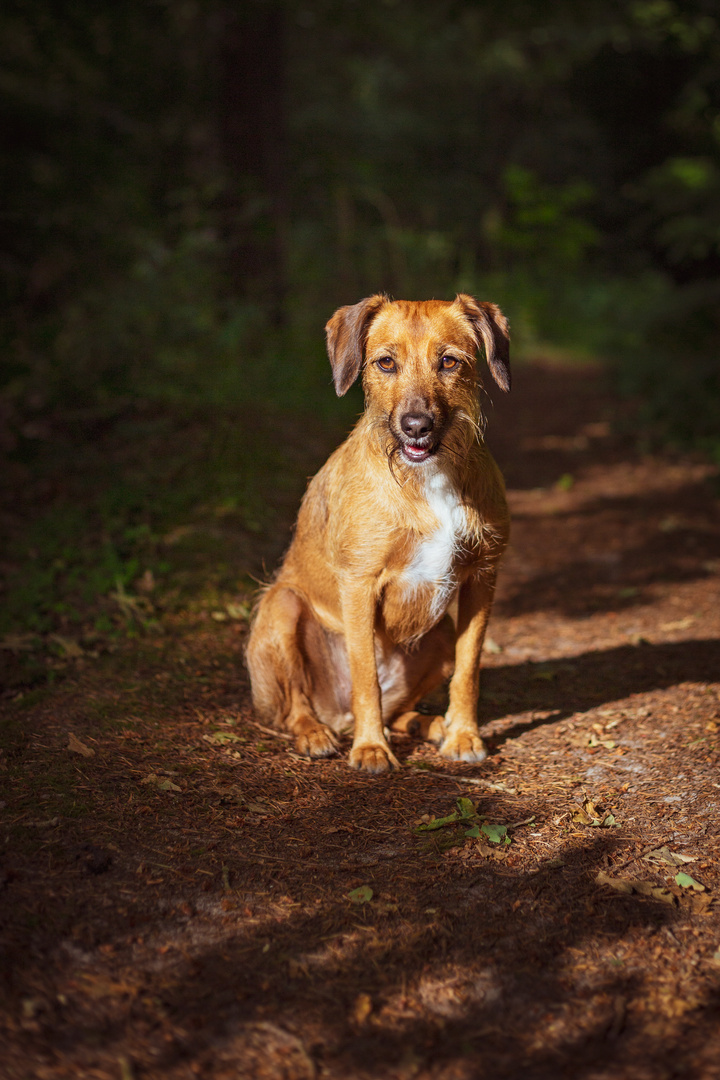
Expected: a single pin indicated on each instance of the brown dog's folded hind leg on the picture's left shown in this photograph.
(283, 676)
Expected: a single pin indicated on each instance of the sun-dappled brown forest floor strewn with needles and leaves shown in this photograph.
(184, 897)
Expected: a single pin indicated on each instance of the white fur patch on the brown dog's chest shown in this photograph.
(434, 559)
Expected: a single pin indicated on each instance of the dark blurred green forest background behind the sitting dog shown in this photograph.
(191, 187)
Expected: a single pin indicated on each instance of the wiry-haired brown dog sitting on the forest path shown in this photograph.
(388, 586)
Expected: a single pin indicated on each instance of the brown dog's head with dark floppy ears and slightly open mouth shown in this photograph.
(419, 369)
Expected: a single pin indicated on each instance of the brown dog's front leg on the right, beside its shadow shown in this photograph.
(461, 739)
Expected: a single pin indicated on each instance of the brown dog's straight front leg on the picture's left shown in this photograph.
(371, 751)
